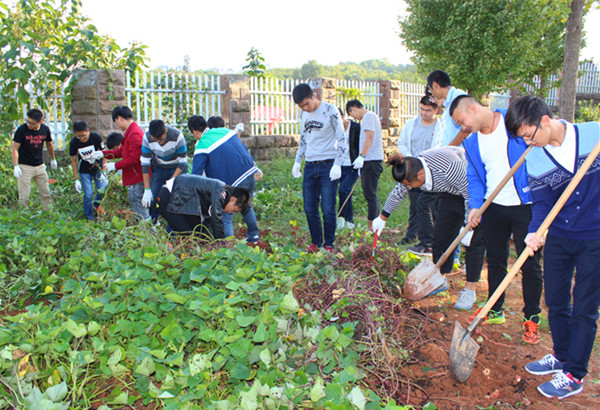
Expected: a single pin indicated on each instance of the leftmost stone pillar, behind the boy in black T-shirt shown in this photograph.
(95, 94)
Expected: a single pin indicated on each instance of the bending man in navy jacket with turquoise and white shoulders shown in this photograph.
(220, 154)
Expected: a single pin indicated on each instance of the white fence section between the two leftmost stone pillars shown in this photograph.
(172, 97)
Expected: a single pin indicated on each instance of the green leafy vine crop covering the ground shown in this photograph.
(103, 314)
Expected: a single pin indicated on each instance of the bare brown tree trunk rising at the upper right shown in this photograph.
(568, 89)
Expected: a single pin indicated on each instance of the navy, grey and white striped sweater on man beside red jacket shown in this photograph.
(171, 154)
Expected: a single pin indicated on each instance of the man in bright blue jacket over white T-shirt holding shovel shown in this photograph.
(491, 151)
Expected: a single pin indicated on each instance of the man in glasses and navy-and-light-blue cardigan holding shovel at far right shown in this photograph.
(573, 239)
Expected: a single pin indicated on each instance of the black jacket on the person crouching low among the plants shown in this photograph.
(201, 196)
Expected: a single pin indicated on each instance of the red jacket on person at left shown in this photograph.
(130, 151)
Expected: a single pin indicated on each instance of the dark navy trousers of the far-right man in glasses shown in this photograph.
(573, 322)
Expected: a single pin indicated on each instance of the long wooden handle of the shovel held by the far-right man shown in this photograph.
(541, 232)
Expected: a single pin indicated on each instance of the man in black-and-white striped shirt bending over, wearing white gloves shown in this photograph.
(442, 170)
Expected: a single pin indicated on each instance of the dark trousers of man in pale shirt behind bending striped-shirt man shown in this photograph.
(420, 220)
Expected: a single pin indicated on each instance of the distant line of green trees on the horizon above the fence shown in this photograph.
(370, 70)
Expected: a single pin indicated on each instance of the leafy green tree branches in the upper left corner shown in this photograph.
(42, 42)
